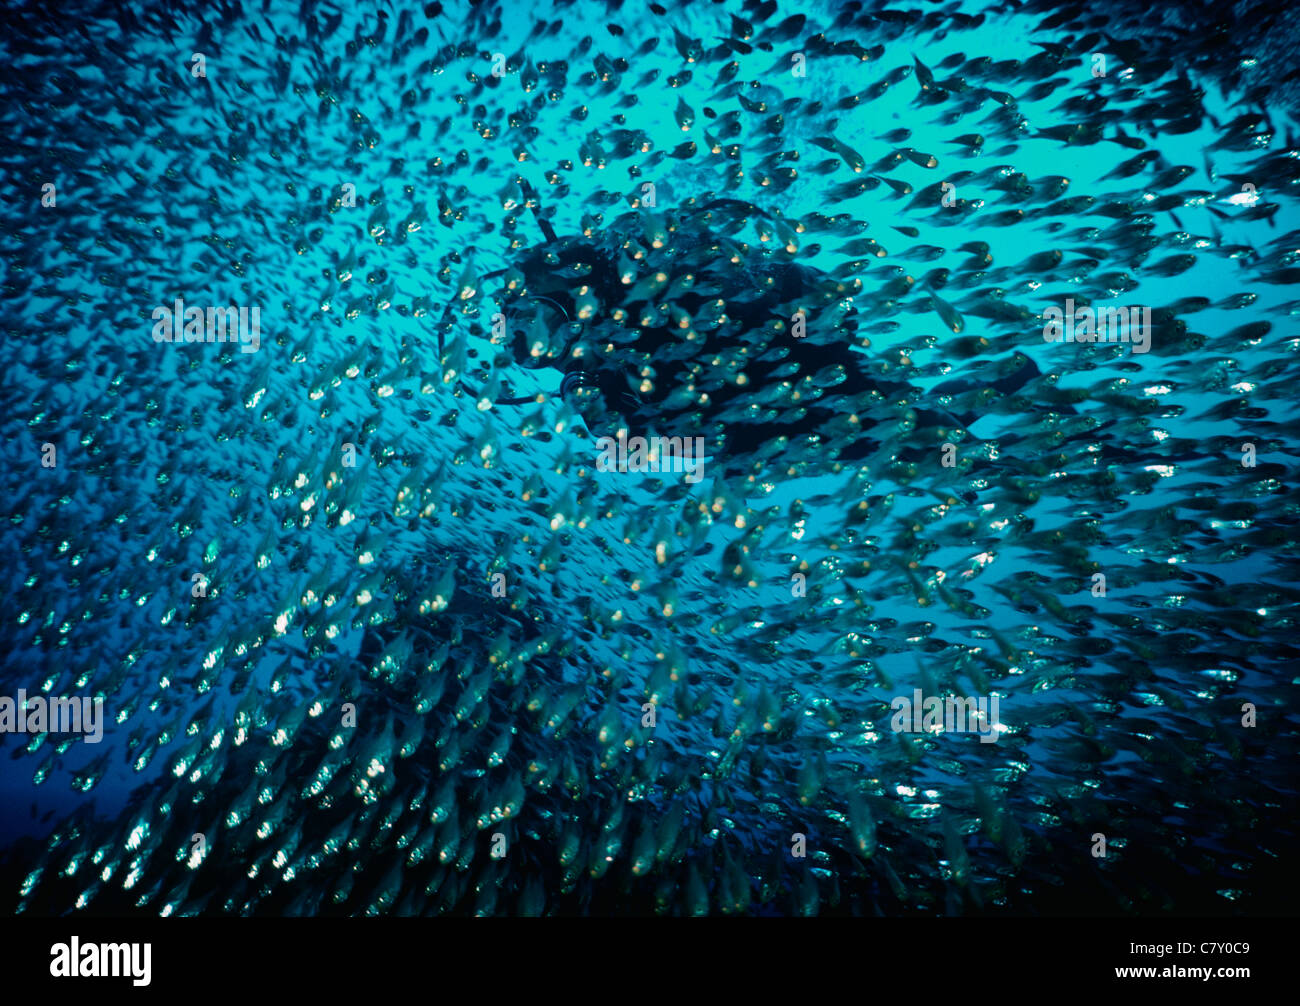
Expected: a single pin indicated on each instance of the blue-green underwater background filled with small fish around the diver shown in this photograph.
(372, 640)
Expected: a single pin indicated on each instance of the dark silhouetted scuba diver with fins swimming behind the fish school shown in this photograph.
(662, 326)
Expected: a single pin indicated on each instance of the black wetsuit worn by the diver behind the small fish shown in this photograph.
(757, 293)
